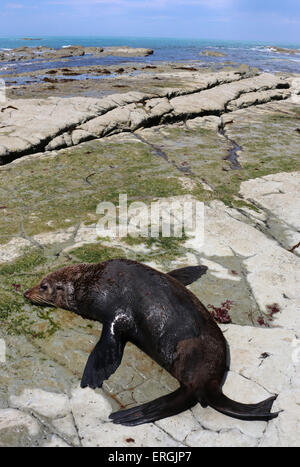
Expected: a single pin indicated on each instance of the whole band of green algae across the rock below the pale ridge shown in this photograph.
(51, 193)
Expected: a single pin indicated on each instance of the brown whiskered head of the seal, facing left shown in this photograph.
(56, 289)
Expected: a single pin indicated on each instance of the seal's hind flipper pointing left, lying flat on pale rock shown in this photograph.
(162, 407)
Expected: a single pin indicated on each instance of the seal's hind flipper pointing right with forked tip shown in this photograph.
(260, 411)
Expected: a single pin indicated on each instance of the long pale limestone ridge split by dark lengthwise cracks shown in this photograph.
(29, 126)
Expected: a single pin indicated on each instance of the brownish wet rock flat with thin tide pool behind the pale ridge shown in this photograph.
(66, 80)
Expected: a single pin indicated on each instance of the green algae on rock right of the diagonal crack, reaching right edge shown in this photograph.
(269, 145)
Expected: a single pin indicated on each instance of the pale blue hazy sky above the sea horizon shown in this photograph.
(273, 21)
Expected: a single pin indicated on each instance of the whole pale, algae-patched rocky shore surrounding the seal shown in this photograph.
(229, 139)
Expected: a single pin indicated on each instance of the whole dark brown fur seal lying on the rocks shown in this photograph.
(157, 313)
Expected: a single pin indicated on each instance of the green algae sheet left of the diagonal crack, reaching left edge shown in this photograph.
(50, 193)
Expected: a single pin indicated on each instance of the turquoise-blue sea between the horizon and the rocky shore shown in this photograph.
(256, 54)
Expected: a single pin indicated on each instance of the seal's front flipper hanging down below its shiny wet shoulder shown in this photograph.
(104, 359)
